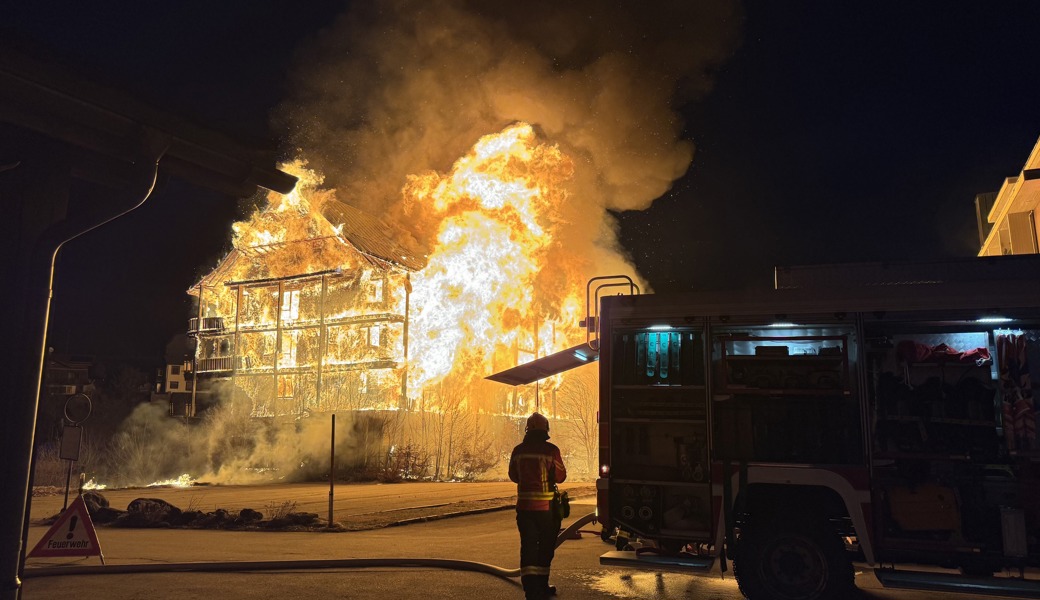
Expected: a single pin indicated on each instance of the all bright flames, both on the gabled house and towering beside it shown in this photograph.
(483, 302)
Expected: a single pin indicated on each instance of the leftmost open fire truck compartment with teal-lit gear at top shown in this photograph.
(660, 434)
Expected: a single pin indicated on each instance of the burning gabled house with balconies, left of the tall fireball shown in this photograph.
(313, 320)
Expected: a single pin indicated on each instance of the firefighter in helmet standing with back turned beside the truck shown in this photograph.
(536, 465)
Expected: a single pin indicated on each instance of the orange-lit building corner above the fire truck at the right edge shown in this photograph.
(1007, 219)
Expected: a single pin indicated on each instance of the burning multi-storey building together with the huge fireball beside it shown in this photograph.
(323, 308)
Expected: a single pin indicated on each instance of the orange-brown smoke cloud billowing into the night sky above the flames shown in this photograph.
(396, 88)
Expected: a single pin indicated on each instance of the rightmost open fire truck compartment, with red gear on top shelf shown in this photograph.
(946, 474)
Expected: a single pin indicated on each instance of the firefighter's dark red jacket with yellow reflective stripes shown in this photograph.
(531, 467)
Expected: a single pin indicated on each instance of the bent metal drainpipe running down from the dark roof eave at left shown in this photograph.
(22, 422)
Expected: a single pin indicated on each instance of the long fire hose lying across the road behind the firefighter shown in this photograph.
(571, 533)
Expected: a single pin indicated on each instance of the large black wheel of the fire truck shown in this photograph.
(793, 560)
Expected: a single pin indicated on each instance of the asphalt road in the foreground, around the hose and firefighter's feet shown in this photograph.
(488, 538)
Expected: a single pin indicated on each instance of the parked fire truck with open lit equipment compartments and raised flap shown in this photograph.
(868, 415)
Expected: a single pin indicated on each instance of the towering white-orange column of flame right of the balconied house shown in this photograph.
(497, 216)
